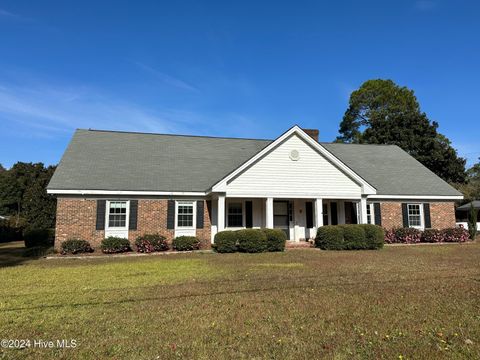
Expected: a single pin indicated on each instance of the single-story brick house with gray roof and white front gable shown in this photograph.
(126, 184)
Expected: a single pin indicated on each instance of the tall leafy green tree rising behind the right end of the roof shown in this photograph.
(381, 112)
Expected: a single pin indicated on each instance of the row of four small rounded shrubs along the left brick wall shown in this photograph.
(144, 244)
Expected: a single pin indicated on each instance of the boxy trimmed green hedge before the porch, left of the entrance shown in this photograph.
(250, 241)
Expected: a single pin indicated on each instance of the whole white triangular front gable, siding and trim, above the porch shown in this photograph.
(294, 166)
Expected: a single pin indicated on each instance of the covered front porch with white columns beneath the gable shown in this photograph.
(298, 217)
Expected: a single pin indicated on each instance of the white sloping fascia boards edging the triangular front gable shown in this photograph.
(367, 189)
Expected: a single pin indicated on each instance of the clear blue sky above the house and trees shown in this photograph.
(243, 69)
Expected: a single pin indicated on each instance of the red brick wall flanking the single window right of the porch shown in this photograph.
(442, 214)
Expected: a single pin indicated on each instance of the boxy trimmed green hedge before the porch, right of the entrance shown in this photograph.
(350, 237)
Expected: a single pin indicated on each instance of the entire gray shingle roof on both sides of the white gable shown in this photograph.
(109, 160)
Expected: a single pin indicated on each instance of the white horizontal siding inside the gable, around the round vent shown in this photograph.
(277, 175)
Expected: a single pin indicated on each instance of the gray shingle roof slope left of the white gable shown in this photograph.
(108, 160)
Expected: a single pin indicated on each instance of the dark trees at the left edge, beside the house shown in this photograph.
(24, 198)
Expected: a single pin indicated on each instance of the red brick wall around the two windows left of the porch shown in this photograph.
(77, 218)
